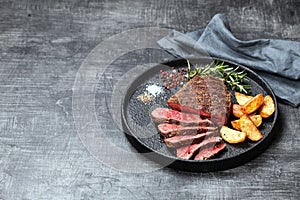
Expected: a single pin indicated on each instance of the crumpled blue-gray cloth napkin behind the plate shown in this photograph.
(276, 61)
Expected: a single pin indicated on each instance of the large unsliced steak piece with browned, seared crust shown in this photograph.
(206, 96)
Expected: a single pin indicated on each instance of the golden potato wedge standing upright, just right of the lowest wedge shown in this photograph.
(248, 127)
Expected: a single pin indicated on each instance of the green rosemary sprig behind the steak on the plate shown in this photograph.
(231, 76)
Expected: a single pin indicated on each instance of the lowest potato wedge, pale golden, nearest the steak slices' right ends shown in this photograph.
(232, 136)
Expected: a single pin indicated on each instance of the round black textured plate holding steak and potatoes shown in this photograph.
(143, 135)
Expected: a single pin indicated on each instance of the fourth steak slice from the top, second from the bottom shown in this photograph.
(187, 152)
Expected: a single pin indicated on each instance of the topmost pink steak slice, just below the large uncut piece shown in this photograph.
(165, 115)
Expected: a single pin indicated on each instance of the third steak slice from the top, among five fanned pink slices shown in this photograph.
(184, 140)
